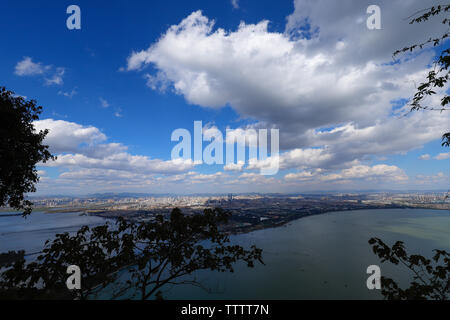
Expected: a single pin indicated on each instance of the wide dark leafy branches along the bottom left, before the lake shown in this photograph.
(129, 257)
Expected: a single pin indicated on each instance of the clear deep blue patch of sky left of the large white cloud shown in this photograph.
(93, 56)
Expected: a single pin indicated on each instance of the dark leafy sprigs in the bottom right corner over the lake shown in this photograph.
(431, 277)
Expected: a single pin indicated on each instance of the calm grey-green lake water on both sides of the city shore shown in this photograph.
(317, 257)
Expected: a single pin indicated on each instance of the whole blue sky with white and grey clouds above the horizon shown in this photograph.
(95, 88)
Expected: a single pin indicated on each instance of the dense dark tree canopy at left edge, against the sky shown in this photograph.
(21, 149)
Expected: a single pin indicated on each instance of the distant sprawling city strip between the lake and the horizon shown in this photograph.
(248, 212)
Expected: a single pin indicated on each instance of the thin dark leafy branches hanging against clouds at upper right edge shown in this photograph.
(438, 77)
